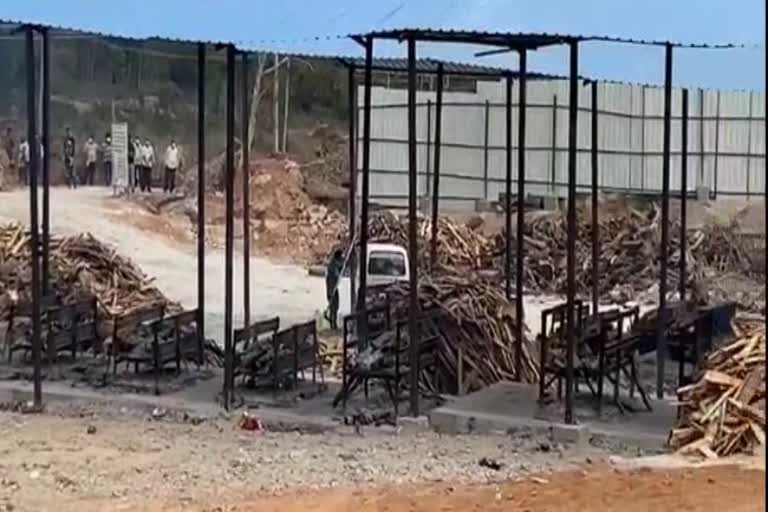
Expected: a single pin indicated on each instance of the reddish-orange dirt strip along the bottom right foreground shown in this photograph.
(599, 490)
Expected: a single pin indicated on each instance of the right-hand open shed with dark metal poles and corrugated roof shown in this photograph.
(522, 44)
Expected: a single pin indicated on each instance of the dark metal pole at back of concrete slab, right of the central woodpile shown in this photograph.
(519, 309)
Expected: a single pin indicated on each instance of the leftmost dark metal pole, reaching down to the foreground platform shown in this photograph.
(34, 149)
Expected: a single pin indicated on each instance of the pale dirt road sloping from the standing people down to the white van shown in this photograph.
(275, 289)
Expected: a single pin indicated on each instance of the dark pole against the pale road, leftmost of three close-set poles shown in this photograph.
(201, 54)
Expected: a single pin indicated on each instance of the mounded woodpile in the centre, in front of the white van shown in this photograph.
(477, 323)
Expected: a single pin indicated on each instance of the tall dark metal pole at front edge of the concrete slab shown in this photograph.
(573, 116)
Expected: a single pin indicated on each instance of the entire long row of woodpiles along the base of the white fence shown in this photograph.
(629, 253)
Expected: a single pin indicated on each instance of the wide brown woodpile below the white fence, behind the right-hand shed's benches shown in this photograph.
(629, 253)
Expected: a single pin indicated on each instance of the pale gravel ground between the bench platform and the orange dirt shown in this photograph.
(69, 454)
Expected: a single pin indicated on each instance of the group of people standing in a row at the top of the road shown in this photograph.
(141, 161)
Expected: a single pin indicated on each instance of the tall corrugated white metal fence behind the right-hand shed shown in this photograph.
(726, 141)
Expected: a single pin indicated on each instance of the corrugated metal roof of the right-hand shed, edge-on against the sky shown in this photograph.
(523, 40)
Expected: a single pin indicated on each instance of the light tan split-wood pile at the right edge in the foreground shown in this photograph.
(724, 412)
